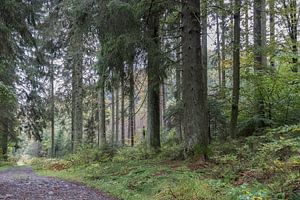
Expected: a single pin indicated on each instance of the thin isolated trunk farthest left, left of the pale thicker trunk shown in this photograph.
(52, 110)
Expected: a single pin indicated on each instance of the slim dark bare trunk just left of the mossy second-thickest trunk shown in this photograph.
(131, 103)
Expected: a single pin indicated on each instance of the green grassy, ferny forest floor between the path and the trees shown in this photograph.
(257, 167)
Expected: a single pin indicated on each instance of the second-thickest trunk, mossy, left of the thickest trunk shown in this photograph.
(154, 85)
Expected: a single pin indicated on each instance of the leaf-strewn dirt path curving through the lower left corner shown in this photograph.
(21, 183)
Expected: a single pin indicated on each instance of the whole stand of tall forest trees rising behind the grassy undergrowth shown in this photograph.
(207, 69)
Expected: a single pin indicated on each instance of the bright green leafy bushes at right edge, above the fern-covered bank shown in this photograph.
(279, 90)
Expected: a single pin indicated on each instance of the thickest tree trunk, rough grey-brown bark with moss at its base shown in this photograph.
(195, 120)
